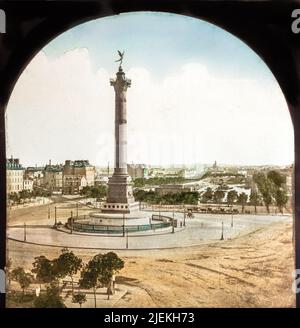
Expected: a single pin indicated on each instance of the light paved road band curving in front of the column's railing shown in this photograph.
(202, 229)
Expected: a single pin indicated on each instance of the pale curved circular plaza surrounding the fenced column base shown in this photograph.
(201, 229)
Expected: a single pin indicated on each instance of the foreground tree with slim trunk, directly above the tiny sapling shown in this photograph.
(67, 264)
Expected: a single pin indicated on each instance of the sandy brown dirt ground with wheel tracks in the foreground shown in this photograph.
(251, 271)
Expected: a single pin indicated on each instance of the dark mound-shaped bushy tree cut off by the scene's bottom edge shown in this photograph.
(51, 299)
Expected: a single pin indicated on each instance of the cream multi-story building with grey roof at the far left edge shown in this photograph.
(14, 175)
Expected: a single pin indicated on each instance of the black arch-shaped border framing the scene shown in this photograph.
(264, 25)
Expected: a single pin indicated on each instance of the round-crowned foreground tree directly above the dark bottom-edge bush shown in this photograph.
(43, 269)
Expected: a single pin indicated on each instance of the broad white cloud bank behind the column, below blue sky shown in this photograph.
(64, 109)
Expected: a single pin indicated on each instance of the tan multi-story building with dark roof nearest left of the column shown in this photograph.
(76, 175)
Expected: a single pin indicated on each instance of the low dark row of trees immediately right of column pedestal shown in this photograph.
(153, 197)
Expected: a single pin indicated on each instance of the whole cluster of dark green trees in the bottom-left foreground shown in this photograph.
(98, 272)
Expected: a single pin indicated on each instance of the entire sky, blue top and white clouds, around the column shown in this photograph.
(198, 95)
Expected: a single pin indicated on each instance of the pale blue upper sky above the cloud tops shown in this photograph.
(161, 43)
